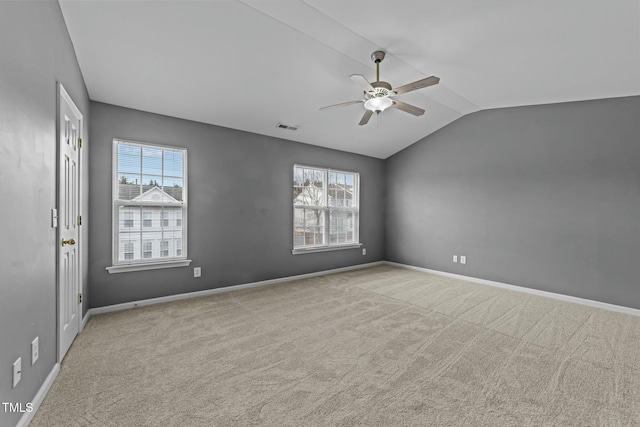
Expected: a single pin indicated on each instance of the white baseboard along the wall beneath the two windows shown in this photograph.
(170, 298)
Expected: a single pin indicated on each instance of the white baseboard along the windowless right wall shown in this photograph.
(561, 297)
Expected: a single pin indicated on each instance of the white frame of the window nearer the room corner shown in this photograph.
(327, 245)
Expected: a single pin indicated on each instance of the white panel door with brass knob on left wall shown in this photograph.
(69, 287)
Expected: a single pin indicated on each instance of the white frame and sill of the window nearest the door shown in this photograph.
(120, 266)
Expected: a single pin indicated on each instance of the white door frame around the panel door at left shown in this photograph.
(63, 96)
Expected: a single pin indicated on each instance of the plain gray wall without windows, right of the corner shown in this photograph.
(546, 197)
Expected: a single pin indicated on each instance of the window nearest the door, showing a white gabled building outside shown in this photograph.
(149, 188)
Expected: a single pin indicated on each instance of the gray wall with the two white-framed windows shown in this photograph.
(240, 211)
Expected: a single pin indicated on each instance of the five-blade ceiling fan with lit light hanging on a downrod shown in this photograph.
(378, 96)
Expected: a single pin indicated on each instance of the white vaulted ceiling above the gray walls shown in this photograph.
(253, 63)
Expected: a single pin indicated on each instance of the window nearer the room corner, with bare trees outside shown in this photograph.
(325, 209)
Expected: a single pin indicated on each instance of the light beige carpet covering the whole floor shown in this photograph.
(382, 346)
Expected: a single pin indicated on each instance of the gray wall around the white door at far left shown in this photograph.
(35, 53)
